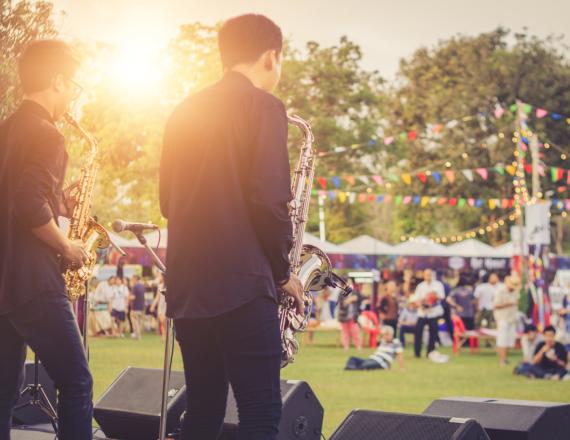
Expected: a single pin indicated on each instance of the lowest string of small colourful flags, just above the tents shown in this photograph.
(425, 201)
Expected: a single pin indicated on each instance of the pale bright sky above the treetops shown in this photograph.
(386, 30)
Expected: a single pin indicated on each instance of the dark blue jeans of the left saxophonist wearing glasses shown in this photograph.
(47, 324)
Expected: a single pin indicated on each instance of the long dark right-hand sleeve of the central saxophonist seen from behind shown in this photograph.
(270, 184)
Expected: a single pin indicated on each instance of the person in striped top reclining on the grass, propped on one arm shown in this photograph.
(382, 359)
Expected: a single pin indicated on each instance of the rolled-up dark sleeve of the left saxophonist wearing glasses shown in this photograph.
(39, 182)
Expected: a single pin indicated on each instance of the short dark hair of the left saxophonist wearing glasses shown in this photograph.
(42, 60)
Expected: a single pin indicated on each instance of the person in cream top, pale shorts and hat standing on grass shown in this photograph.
(505, 305)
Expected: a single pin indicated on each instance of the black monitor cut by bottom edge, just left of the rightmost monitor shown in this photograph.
(377, 425)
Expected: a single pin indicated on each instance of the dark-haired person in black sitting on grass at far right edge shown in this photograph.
(549, 360)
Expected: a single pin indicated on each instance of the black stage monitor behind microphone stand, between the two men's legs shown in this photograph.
(130, 408)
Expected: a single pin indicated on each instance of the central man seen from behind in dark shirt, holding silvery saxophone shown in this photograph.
(224, 187)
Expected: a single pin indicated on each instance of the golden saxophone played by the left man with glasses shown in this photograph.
(82, 226)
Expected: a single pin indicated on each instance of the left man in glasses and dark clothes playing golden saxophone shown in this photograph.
(34, 308)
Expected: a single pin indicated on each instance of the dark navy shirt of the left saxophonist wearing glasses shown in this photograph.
(32, 169)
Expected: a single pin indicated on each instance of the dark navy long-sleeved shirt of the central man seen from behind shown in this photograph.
(224, 187)
